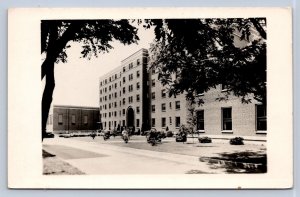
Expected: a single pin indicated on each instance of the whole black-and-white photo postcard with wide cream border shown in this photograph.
(137, 98)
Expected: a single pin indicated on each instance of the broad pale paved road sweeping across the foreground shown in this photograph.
(105, 158)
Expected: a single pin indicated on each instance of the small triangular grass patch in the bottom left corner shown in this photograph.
(54, 166)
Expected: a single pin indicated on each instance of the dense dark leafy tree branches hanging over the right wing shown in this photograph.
(203, 53)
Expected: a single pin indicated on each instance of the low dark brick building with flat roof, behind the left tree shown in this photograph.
(64, 118)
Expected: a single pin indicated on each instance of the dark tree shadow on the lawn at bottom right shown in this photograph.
(239, 162)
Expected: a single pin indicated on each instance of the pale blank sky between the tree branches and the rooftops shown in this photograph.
(77, 81)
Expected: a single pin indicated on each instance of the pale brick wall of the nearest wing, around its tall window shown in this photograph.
(243, 115)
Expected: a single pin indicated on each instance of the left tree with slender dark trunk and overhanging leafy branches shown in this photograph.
(95, 37)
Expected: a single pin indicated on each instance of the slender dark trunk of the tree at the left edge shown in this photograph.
(48, 92)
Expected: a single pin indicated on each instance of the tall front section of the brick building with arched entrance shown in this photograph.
(124, 98)
